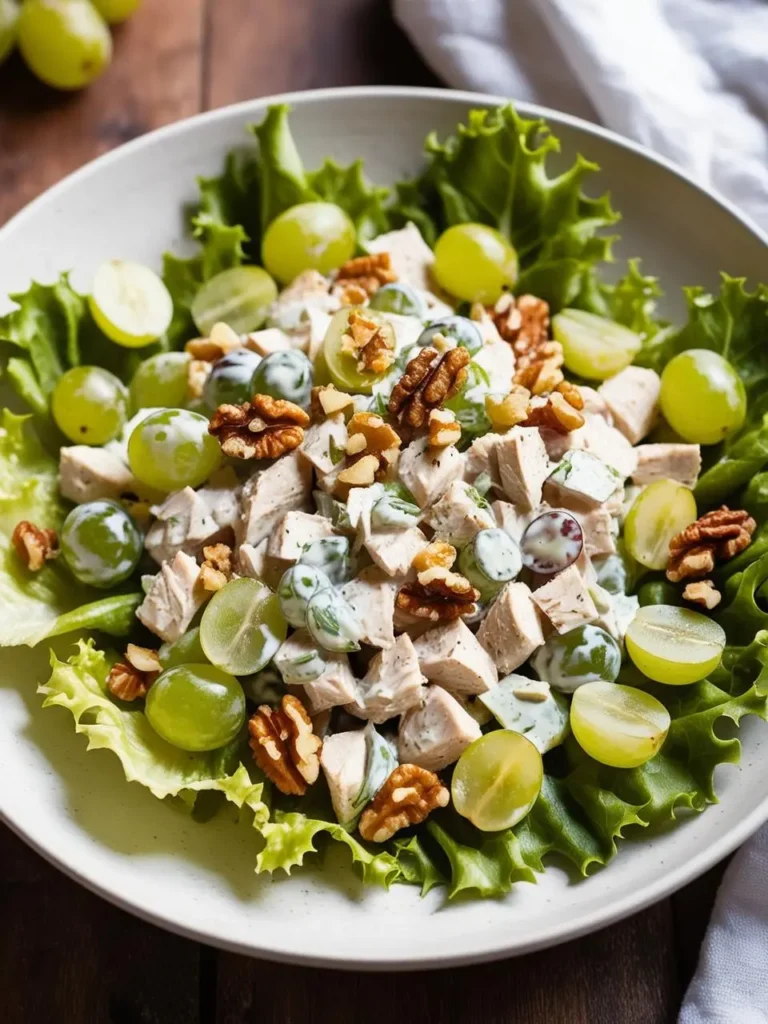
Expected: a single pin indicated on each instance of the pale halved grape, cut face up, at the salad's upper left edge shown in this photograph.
(131, 304)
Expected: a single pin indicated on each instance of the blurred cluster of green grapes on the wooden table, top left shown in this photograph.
(67, 44)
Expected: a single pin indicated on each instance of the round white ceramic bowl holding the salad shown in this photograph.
(77, 809)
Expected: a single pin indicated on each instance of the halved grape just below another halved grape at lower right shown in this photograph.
(619, 726)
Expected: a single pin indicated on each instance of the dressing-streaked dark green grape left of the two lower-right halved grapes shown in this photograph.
(582, 656)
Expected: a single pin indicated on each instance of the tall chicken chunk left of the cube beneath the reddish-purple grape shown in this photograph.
(511, 631)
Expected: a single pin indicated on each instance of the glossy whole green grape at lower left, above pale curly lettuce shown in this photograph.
(196, 707)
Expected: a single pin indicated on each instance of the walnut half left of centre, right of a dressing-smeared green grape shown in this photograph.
(264, 429)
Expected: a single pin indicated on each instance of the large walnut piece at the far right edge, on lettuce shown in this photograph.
(717, 536)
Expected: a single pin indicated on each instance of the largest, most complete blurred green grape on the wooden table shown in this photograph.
(65, 42)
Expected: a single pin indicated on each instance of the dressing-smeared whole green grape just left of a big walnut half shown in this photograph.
(173, 449)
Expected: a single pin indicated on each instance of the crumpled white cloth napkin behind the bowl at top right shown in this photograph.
(688, 78)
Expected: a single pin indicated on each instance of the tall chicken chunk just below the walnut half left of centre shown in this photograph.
(284, 487)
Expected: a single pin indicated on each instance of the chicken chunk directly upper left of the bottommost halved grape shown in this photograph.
(437, 735)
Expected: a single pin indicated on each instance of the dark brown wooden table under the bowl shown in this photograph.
(67, 956)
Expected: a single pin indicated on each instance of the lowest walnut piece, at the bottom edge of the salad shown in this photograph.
(408, 797)
